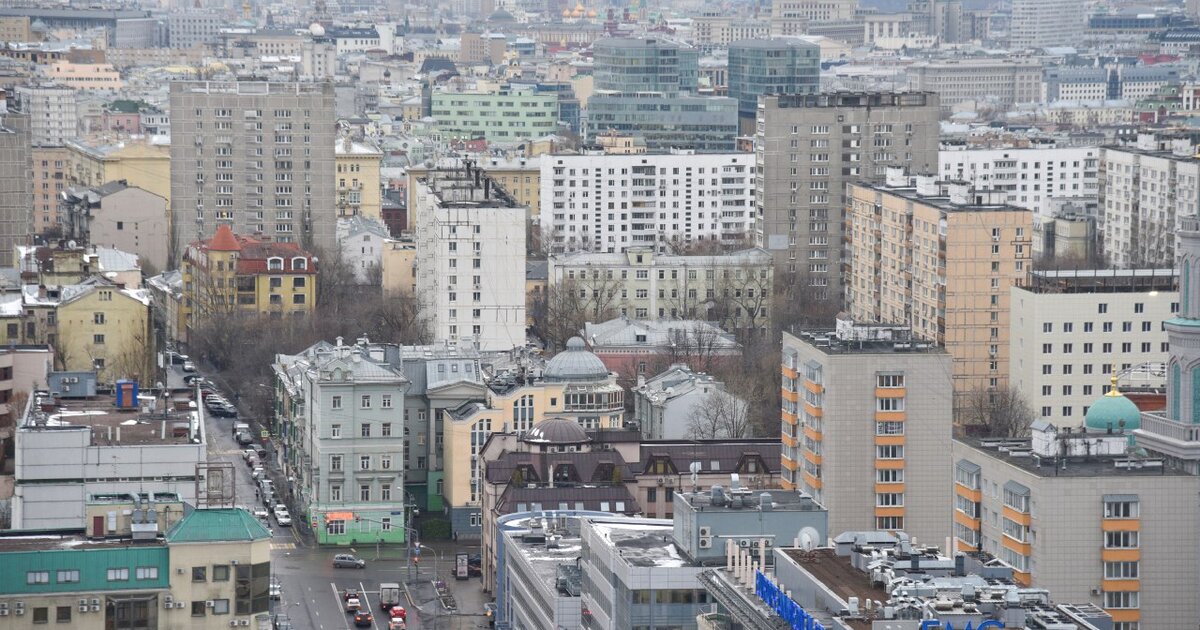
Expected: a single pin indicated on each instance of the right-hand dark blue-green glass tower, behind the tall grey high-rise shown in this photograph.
(772, 67)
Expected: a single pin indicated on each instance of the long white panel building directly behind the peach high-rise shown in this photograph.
(1030, 178)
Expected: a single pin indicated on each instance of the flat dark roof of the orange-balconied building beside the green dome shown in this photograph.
(1019, 454)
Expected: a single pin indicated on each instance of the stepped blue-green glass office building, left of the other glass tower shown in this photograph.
(646, 87)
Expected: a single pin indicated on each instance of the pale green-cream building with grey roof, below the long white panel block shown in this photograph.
(734, 290)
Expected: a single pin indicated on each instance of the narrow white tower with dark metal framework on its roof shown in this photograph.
(471, 251)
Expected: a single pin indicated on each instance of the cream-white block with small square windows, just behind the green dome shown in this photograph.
(1072, 329)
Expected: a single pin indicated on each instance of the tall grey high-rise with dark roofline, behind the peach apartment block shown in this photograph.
(809, 147)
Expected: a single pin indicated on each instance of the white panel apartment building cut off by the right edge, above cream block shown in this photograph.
(1143, 191)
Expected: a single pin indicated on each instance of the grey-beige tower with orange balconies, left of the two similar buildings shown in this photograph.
(886, 473)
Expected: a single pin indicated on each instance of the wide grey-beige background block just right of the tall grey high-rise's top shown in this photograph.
(999, 82)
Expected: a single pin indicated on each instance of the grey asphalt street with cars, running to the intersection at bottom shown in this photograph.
(313, 589)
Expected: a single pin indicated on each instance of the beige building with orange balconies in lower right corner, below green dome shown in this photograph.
(1073, 514)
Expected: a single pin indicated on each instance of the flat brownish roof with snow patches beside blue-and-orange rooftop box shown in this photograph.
(112, 427)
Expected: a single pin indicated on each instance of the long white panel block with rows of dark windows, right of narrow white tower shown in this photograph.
(607, 203)
